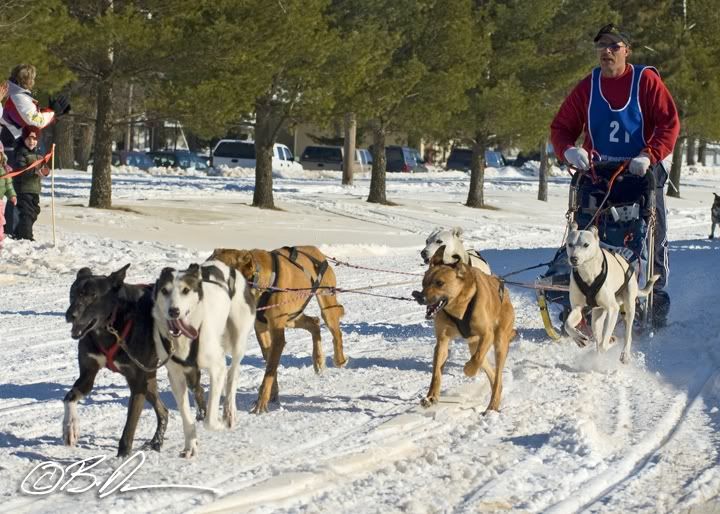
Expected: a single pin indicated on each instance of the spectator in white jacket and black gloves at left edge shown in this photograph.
(22, 110)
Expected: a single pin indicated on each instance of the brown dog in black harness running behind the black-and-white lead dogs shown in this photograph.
(299, 267)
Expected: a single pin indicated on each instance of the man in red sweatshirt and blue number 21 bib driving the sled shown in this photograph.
(624, 112)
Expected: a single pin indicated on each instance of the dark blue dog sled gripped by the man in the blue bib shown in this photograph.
(622, 207)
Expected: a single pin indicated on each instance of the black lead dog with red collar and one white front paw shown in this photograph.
(113, 323)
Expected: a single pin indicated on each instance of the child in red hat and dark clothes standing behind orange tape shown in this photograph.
(28, 184)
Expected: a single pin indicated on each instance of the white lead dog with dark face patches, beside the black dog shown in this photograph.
(201, 314)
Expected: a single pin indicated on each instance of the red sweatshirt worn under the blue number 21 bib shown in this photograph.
(661, 122)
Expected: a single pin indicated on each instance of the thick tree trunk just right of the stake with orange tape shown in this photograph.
(101, 188)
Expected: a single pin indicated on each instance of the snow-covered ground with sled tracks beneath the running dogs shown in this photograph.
(577, 432)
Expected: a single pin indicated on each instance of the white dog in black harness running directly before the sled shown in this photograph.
(604, 281)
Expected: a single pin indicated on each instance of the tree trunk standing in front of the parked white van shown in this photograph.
(264, 140)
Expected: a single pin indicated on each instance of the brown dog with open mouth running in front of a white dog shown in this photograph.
(467, 303)
